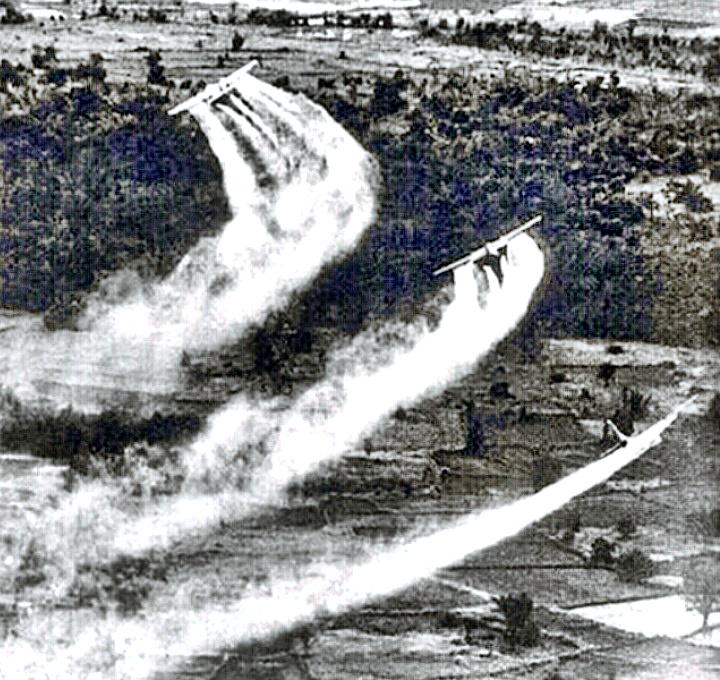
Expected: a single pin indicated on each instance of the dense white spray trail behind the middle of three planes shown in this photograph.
(367, 381)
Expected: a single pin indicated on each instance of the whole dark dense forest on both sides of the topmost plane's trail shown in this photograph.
(96, 178)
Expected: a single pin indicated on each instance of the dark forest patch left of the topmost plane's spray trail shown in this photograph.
(93, 179)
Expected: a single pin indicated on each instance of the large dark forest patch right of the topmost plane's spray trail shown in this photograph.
(464, 161)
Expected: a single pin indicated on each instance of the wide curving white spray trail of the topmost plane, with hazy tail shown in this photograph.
(301, 191)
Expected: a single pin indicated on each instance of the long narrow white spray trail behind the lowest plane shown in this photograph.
(322, 590)
